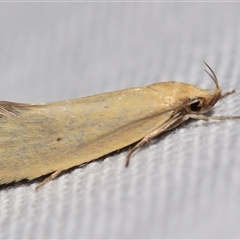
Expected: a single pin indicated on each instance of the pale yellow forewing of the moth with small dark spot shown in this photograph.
(42, 139)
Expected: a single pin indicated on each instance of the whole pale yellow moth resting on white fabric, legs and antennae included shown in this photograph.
(40, 139)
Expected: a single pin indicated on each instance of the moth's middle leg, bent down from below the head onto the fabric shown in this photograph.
(166, 126)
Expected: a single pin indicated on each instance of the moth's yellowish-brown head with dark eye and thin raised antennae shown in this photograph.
(203, 100)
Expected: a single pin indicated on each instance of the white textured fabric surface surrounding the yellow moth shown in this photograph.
(187, 183)
